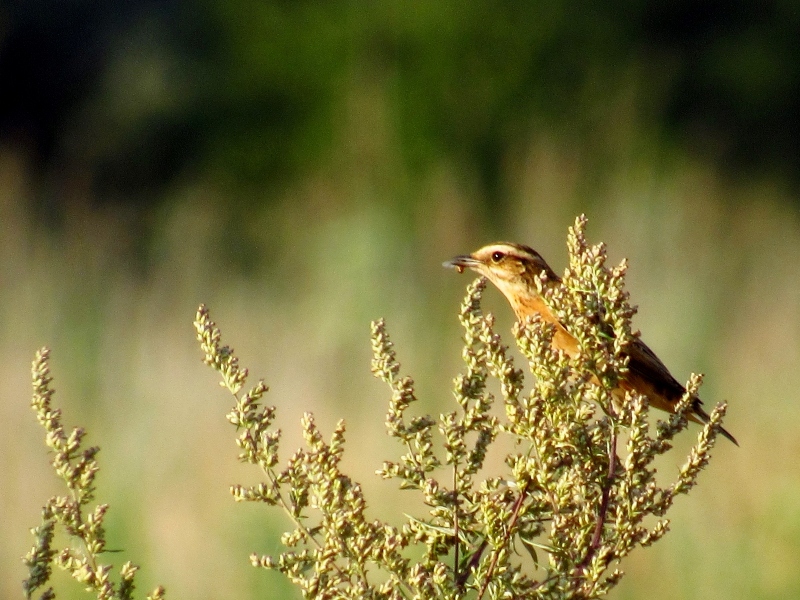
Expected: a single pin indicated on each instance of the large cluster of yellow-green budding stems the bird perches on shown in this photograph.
(575, 492)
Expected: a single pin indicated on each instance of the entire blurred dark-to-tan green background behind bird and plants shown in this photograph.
(304, 167)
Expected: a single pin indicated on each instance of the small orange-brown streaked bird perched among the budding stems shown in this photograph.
(514, 269)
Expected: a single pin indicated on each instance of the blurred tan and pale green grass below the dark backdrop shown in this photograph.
(714, 269)
